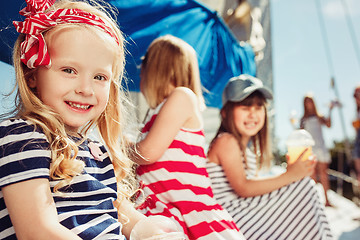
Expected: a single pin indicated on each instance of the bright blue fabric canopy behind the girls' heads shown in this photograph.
(220, 55)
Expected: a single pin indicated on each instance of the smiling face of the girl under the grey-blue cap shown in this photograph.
(249, 120)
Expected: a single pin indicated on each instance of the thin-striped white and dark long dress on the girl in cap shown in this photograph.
(292, 212)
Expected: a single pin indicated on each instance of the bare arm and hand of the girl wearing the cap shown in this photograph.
(226, 152)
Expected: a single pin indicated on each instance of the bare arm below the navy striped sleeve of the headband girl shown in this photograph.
(32, 211)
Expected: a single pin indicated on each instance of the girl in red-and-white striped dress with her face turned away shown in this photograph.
(173, 172)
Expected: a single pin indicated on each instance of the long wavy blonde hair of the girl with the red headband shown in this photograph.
(110, 123)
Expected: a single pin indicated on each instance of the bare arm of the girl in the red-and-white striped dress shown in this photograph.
(178, 111)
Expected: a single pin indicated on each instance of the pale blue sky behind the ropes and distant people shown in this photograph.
(300, 63)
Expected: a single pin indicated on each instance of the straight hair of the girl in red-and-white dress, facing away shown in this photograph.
(169, 61)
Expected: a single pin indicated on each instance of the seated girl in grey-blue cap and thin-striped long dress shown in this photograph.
(281, 207)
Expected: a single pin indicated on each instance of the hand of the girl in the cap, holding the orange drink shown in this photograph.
(301, 167)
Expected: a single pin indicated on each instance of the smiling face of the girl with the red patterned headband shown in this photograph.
(77, 84)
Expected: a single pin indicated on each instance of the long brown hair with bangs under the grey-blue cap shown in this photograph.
(261, 142)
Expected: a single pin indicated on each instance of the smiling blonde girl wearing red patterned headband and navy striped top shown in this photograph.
(55, 183)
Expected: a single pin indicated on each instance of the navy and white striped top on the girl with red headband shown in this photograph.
(86, 208)
